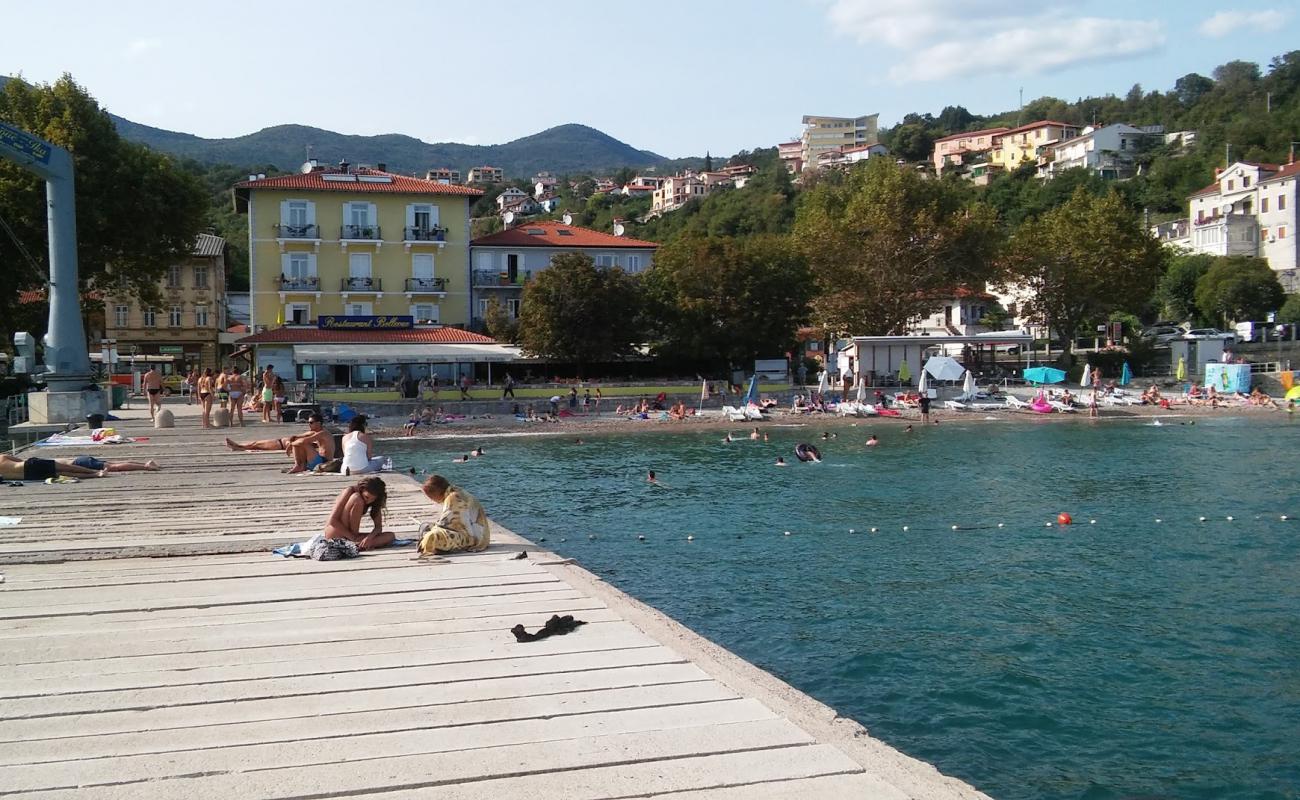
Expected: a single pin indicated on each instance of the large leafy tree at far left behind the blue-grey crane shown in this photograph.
(137, 213)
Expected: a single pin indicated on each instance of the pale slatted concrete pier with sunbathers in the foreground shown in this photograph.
(153, 648)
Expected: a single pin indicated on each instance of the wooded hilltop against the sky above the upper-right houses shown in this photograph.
(1240, 111)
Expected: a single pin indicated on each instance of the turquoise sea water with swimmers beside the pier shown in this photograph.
(1112, 660)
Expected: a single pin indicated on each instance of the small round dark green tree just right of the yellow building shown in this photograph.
(575, 313)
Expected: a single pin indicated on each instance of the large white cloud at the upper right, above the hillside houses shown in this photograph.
(947, 38)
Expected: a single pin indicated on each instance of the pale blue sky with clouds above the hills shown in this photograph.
(677, 77)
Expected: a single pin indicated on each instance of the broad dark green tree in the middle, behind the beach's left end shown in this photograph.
(727, 301)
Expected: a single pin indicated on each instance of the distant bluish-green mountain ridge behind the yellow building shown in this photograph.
(566, 149)
